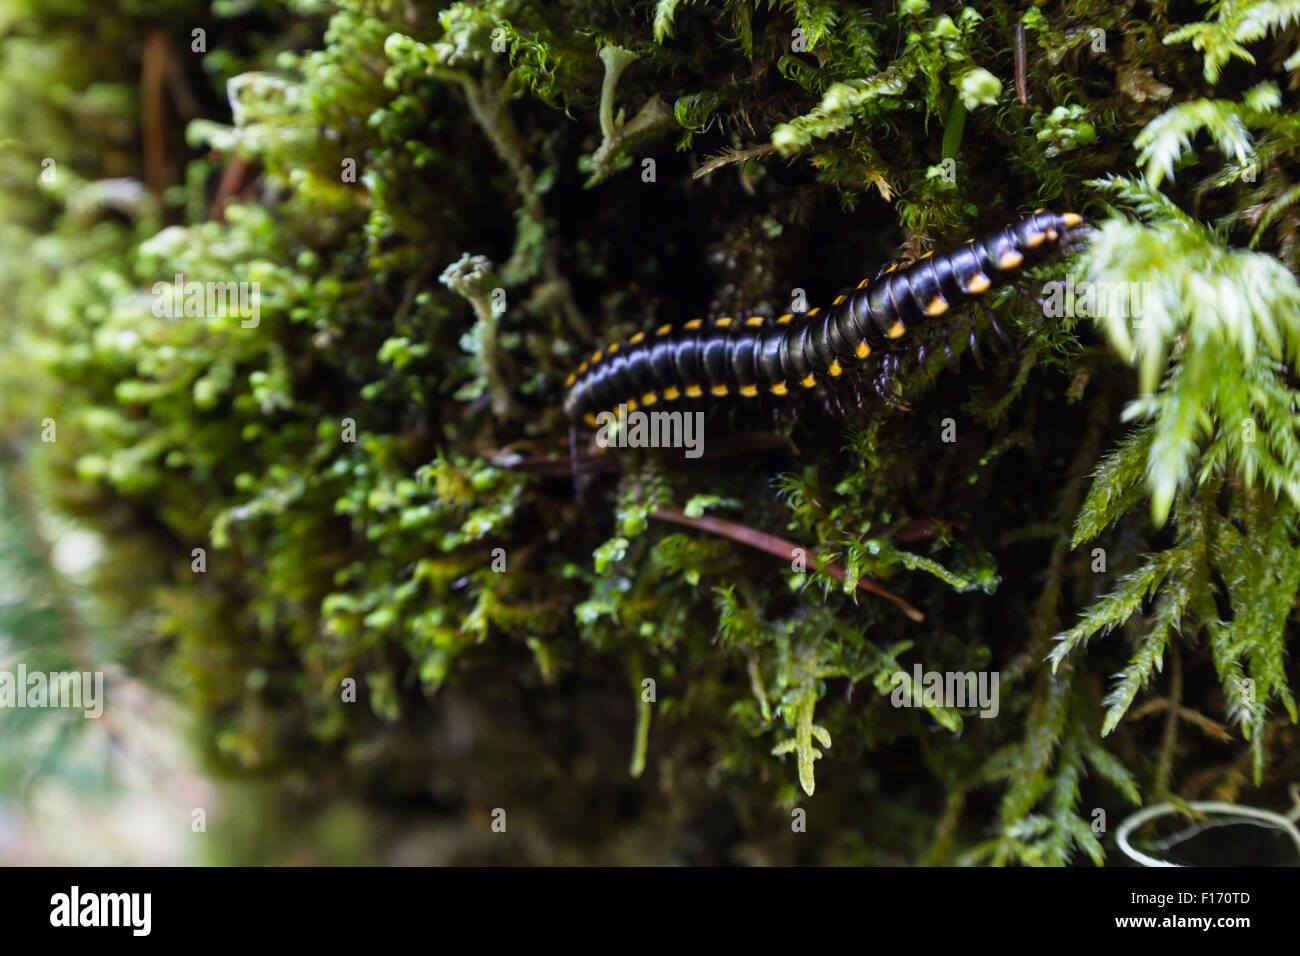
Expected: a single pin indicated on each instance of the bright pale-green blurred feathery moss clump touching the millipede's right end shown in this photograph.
(1234, 321)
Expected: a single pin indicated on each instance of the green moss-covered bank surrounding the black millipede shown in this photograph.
(255, 516)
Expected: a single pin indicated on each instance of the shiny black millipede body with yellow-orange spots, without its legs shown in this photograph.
(756, 356)
